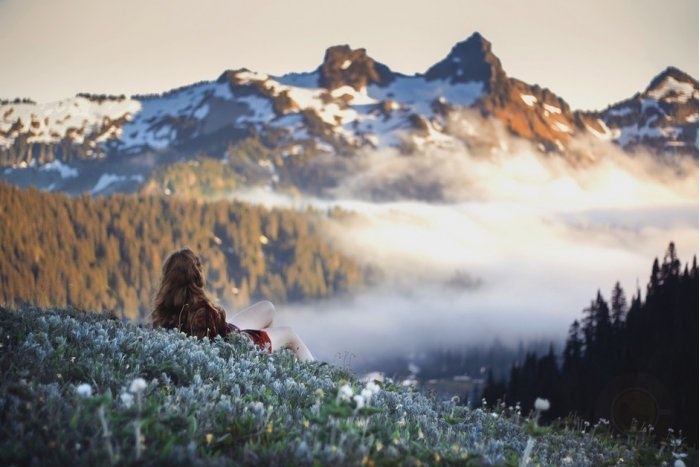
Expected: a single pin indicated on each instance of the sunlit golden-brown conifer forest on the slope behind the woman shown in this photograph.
(105, 253)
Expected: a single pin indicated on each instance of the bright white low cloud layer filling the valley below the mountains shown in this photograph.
(513, 245)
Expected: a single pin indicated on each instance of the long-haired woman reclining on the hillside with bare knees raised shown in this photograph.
(181, 303)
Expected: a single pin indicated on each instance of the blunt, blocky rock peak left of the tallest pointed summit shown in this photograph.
(343, 66)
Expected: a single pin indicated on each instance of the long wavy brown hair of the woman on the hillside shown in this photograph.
(181, 302)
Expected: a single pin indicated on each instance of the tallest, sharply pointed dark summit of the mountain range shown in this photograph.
(469, 60)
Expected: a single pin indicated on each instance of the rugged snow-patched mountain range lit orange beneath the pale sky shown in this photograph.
(102, 144)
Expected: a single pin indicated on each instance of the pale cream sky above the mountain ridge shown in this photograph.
(591, 53)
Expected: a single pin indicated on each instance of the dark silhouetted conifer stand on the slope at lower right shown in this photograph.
(632, 363)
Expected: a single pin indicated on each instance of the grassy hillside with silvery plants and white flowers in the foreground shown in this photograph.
(86, 389)
